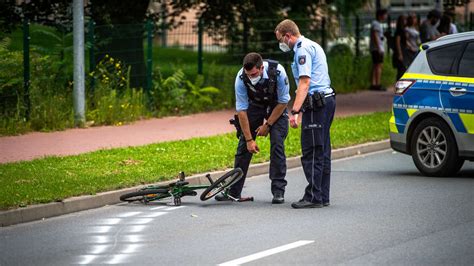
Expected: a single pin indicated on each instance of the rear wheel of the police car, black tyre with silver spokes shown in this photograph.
(434, 149)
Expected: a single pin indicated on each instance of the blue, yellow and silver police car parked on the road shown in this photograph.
(433, 107)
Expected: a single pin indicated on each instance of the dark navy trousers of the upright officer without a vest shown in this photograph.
(316, 151)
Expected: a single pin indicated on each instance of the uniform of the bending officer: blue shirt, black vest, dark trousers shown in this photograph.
(248, 99)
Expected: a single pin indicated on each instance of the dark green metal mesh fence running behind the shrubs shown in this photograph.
(133, 45)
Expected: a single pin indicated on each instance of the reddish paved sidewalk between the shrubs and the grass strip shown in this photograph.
(76, 141)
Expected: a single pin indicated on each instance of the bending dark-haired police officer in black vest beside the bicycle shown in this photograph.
(262, 95)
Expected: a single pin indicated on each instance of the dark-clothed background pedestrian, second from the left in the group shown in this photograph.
(400, 46)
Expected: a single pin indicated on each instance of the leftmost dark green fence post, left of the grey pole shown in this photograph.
(26, 67)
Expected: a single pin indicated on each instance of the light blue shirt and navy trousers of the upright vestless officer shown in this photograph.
(310, 61)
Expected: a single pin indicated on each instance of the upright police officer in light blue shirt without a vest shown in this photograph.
(315, 99)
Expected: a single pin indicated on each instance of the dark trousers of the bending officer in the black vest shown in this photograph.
(278, 134)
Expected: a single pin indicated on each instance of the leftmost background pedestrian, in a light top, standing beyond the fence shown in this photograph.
(377, 49)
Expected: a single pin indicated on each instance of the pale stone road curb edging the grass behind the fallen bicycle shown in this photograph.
(75, 204)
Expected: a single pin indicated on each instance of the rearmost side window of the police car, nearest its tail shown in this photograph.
(442, 59)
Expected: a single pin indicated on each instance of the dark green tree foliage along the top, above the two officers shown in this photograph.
(237, 20)
